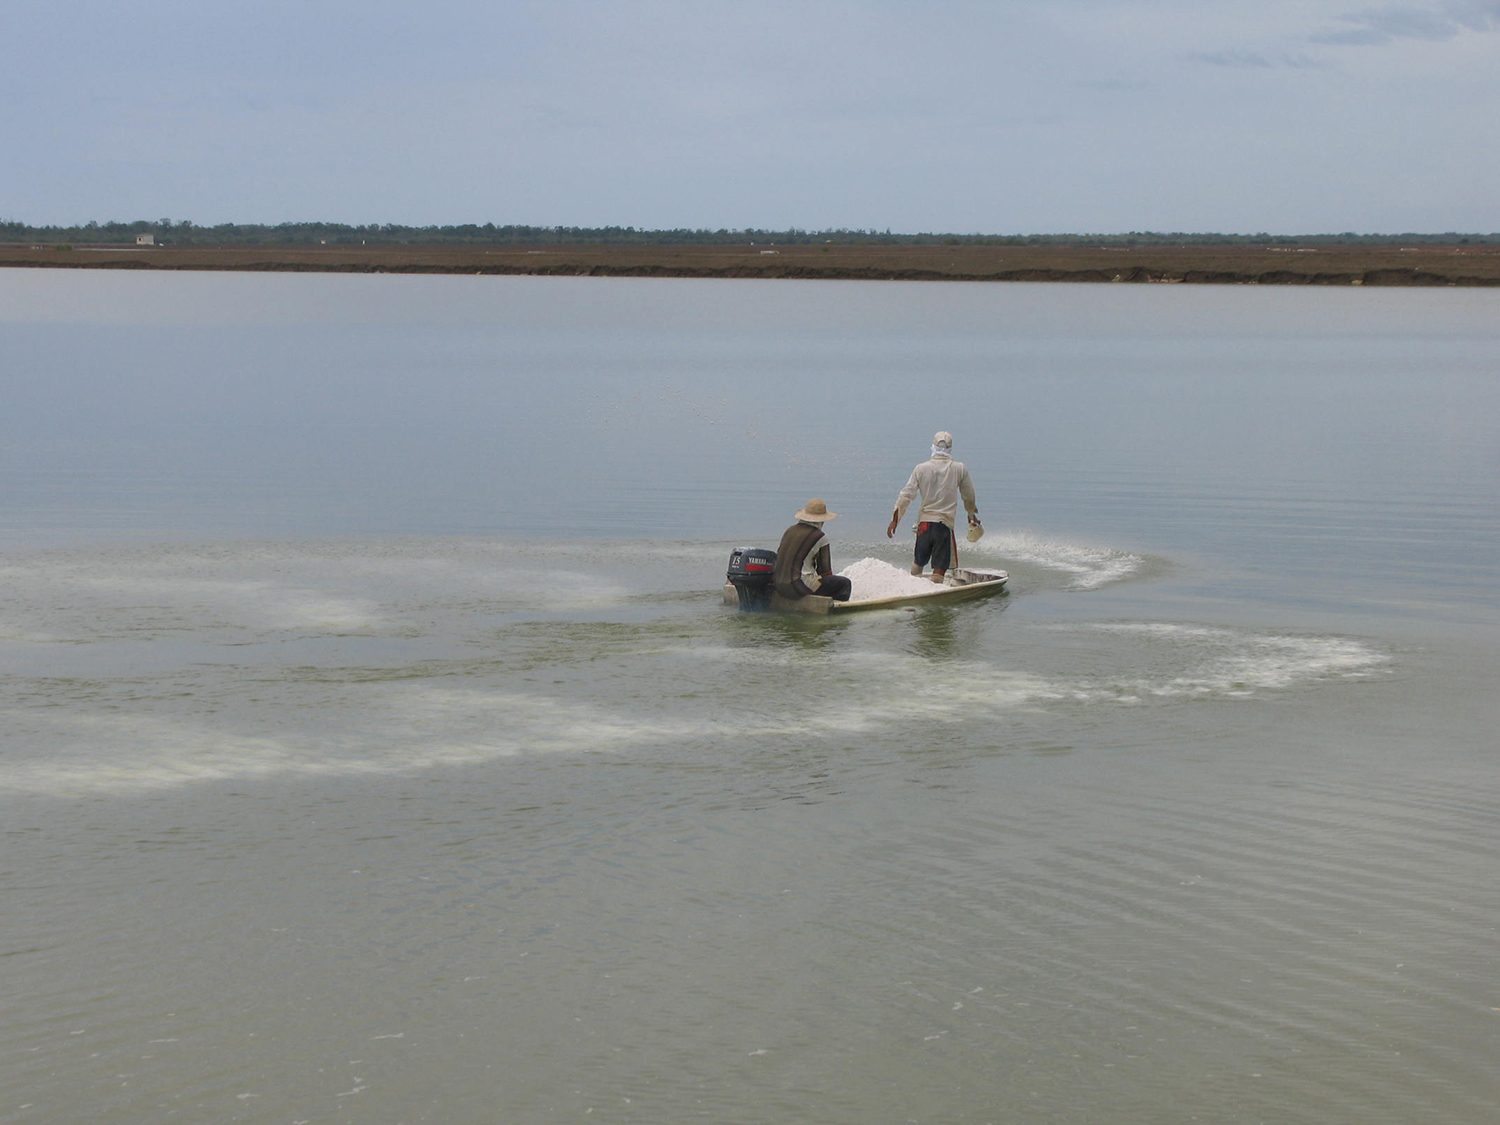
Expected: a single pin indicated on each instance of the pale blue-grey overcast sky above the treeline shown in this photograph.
(949, 116)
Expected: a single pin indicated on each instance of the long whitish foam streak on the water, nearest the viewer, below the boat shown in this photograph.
(410, 728)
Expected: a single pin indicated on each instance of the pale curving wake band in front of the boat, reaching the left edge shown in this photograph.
(667, 700)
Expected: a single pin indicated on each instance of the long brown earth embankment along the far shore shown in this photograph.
(1163, 265)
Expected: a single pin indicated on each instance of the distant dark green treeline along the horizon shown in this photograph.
(187, 233)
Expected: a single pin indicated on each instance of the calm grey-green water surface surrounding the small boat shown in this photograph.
(376, 746)
